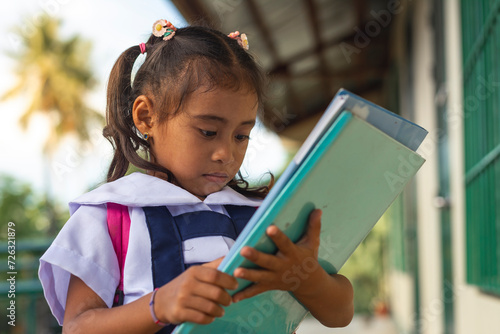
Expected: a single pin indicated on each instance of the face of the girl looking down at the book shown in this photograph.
(205, 143)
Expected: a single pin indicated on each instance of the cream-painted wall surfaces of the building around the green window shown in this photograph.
(474, 311)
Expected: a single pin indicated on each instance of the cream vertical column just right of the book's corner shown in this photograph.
(429, 231)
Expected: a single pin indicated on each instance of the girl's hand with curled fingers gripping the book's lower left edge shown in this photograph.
(196, 295)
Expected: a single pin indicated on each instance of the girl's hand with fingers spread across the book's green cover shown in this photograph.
(294, 268)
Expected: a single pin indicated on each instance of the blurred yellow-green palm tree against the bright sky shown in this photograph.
(56, 74)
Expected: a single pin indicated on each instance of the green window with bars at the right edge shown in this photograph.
(481, 76)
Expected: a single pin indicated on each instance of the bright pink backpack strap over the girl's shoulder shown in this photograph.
(119, 230)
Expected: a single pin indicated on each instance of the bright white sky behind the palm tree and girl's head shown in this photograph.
(112, 26)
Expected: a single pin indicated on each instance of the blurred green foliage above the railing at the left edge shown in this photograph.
(30, 211)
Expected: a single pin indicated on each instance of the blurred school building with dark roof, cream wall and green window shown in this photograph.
(435, 62)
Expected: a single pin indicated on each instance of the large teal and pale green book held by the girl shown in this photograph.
(353, 165)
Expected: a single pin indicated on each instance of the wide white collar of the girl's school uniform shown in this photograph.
(138, 189)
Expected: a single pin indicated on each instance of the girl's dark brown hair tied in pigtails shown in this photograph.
(195, 57)
